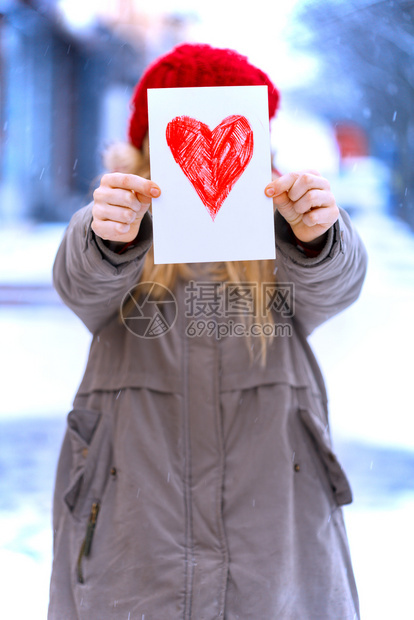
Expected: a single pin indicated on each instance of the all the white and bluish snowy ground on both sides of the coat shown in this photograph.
(365, 357)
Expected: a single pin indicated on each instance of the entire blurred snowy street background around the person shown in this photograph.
(345, 69)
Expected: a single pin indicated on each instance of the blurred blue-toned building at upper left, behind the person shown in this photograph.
(64, 91)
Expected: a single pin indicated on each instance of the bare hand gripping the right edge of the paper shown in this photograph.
(306, 202)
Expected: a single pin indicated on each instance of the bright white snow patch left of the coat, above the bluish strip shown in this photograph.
(46, 353)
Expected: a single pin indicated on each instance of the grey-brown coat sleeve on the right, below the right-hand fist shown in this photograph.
(326, 284)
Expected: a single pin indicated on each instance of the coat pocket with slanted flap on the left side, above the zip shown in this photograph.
(91, 444)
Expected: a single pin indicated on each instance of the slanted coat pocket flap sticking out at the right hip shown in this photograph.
(319, 437)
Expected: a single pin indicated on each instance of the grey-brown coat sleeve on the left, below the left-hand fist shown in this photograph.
(90, 278)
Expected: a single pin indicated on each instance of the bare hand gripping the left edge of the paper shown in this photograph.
(120, 203)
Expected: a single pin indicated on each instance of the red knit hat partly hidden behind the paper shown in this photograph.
(194, 65)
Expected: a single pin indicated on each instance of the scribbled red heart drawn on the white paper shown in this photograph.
(212, 160)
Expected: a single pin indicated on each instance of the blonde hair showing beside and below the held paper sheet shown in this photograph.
(124, 157)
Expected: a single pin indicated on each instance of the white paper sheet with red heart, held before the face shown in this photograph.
(185, 229)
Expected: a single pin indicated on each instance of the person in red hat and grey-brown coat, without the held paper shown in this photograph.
(197, 479)
